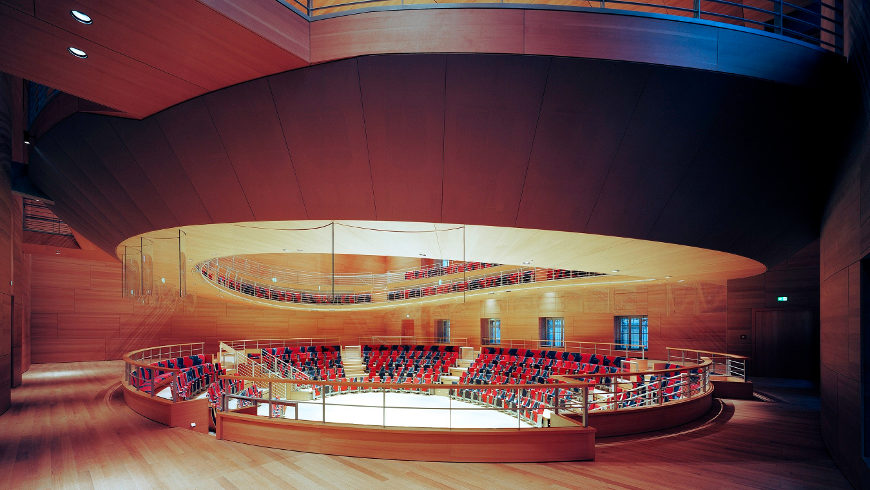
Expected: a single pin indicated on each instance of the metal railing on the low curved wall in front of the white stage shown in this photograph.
(576, 395)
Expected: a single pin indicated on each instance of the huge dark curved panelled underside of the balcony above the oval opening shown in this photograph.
(617, 148)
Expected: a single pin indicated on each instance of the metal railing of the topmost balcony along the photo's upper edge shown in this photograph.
(815, 22)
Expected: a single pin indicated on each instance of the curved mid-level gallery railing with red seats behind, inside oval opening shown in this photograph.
(282, 286)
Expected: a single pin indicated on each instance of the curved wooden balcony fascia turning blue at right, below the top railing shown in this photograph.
(574, 34)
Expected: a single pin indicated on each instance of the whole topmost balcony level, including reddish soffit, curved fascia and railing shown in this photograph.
(192, 47)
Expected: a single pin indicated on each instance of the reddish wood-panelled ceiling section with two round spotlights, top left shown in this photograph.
(143, 56)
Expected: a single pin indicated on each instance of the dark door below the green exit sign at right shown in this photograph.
(785, 344)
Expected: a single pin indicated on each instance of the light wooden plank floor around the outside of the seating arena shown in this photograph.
(69, 427)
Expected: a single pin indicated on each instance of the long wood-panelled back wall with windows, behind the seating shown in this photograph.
(100, 324)
